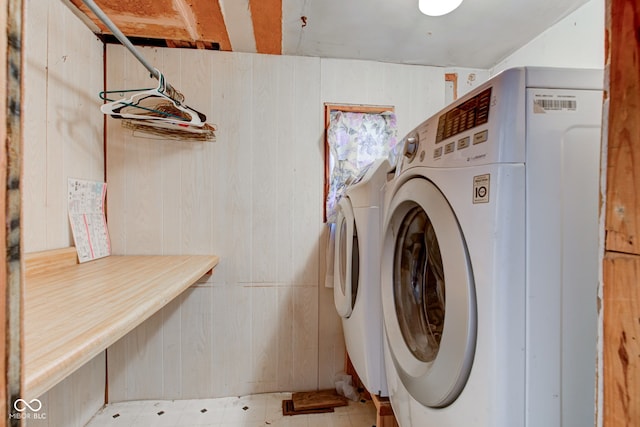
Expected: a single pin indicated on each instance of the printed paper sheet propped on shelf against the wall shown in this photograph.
(88, 220)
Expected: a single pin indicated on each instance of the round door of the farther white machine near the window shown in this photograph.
(347, 260)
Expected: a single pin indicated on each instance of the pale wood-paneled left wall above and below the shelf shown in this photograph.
(62, 138)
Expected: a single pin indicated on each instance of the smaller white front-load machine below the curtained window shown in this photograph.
(357, 275)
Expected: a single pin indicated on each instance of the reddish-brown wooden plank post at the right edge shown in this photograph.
(621, 265)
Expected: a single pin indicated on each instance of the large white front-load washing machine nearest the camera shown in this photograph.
(489, 264)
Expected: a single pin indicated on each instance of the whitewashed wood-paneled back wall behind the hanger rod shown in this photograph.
(264, 321)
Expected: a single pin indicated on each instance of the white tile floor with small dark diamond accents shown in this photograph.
(246, 411)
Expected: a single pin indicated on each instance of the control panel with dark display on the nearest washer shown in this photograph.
(484, 126)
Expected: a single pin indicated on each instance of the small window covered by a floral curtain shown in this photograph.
(355, 136)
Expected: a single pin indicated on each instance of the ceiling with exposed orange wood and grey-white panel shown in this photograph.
(479, 34)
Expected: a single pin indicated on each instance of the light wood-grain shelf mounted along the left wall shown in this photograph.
(72, 312)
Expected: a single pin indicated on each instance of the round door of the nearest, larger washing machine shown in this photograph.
(428, 294)
